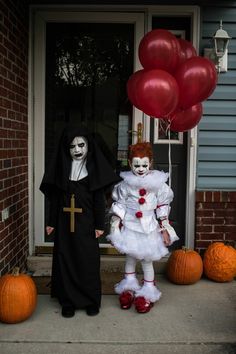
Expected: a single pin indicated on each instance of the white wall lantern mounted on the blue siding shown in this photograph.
(219, 54)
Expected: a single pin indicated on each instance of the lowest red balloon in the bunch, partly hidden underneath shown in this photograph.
(184, 120)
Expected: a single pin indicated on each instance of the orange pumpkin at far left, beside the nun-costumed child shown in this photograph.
(18, 297)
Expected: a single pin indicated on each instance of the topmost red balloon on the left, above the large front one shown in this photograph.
(159, 49)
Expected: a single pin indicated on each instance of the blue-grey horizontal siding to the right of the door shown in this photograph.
(216, 167)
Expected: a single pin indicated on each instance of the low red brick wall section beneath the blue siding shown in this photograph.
(215, 218)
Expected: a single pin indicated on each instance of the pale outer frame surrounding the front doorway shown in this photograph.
(141, 17)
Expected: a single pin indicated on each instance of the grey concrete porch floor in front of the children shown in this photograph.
(199, 318)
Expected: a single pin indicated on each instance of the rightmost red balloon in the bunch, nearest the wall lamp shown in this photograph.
(197, 79)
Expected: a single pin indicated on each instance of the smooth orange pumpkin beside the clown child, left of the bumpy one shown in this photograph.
(184, 266)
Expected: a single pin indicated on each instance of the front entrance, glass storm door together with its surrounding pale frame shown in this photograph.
(54, 93)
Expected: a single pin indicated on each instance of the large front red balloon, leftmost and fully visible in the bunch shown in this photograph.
(157, 93)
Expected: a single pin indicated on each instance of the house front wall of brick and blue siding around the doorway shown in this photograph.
(215, 210)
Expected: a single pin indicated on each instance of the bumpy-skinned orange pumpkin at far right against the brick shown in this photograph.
(219, 262)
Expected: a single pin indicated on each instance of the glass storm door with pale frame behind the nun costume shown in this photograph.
(82, 61)
